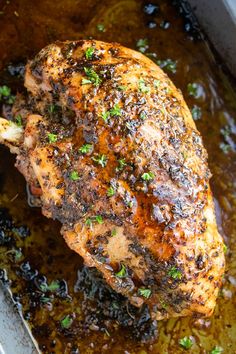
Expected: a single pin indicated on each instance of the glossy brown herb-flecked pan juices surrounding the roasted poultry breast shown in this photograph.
(26, 27)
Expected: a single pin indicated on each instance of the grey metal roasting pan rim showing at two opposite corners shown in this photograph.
(218, 20)
